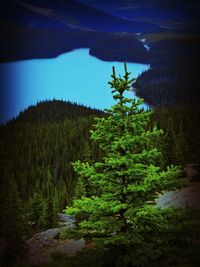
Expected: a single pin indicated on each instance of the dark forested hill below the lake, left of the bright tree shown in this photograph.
(39, 145)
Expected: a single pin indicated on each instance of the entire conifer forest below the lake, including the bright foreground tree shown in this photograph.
(106, 169)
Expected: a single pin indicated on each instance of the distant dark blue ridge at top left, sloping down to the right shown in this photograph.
(70, 13)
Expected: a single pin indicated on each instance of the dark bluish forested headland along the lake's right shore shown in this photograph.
(173, 76)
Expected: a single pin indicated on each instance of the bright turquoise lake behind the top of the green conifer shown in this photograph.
(74, 76)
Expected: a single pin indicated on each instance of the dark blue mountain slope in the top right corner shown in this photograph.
(178, 14)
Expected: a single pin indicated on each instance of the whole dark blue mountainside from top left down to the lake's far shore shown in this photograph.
(43, 29)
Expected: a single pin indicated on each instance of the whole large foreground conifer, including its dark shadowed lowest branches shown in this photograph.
(123, 211)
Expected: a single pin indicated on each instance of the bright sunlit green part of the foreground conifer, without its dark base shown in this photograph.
(127, 177)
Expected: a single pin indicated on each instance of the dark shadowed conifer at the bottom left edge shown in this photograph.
(13, 226)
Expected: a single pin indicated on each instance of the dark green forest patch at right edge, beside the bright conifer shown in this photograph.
(181, 139)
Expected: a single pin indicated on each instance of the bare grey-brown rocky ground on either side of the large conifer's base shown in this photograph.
(41, 245)
